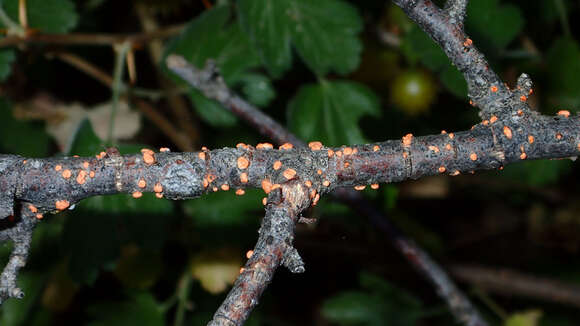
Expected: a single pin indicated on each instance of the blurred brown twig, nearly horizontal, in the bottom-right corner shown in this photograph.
(508, 282)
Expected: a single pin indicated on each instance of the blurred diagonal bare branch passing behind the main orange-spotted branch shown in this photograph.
(209, 83)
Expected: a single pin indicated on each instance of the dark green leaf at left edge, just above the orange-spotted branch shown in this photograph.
(15, 135)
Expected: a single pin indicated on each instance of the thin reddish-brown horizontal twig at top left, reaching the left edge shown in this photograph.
(82, 38)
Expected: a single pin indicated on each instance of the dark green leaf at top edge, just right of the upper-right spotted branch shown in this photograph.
(492, 24)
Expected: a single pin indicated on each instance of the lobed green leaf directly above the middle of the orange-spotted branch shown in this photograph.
(329, 111)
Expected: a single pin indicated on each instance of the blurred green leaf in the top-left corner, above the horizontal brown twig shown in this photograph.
(49, 16)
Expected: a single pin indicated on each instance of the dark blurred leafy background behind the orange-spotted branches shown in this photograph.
(335, 71)
